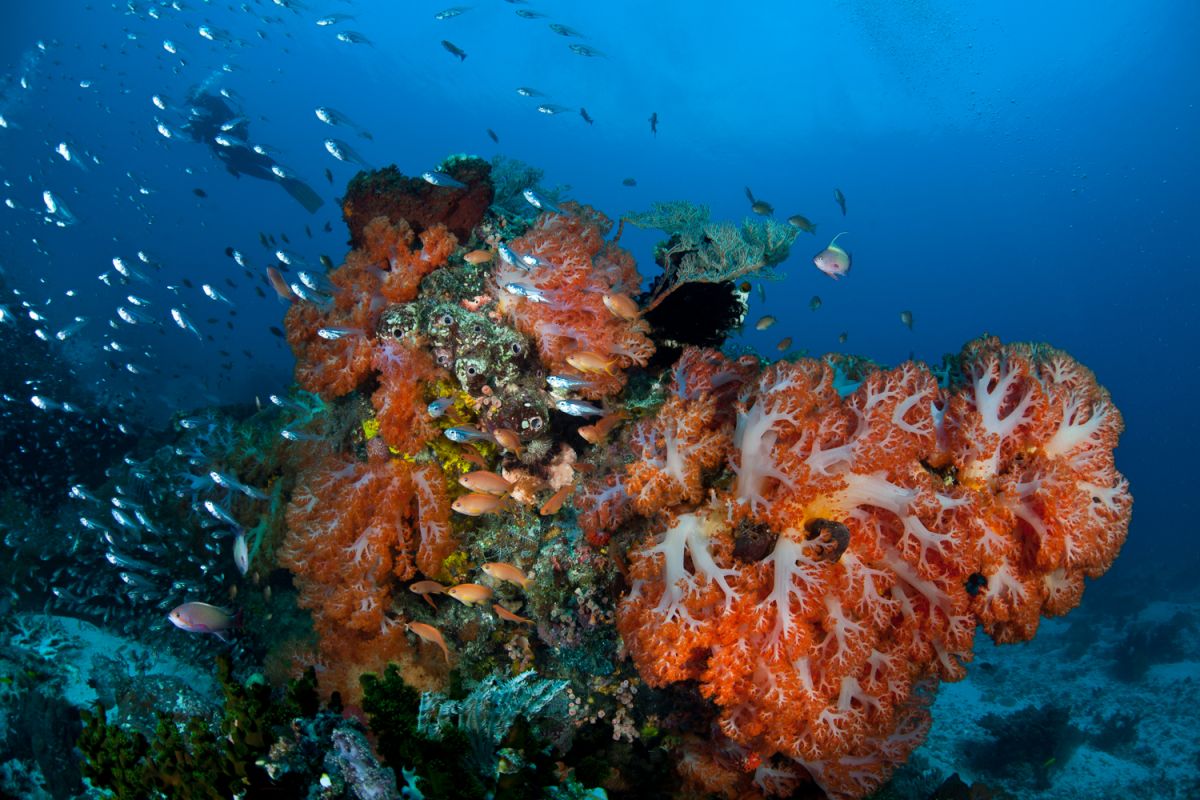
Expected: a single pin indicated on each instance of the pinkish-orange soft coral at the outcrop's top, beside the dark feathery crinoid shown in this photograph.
(577, 268)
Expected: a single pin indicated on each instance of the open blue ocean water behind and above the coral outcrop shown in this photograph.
(1027, 171)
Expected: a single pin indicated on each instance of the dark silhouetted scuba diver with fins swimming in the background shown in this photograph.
(213, 122)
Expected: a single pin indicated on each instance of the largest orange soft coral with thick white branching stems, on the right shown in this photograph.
(903, 516)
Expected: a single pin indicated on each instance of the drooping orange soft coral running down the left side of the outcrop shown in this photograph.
(356, 528)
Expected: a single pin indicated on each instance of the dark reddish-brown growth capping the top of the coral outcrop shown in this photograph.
(388, 194)
